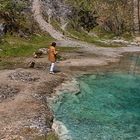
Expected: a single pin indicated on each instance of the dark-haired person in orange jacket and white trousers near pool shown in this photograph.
(52, 56)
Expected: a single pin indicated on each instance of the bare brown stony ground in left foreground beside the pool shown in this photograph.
(24, 113)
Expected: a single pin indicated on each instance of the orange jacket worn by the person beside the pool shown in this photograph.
(52, 54)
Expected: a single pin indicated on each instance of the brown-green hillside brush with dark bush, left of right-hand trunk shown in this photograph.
(114, 16)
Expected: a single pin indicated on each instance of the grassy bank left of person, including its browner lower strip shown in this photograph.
(15, 49)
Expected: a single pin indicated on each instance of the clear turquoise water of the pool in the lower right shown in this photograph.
(107, 108)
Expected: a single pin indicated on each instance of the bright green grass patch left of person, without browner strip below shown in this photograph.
(20, 47)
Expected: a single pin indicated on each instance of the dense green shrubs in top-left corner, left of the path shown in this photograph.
(15, 16)
